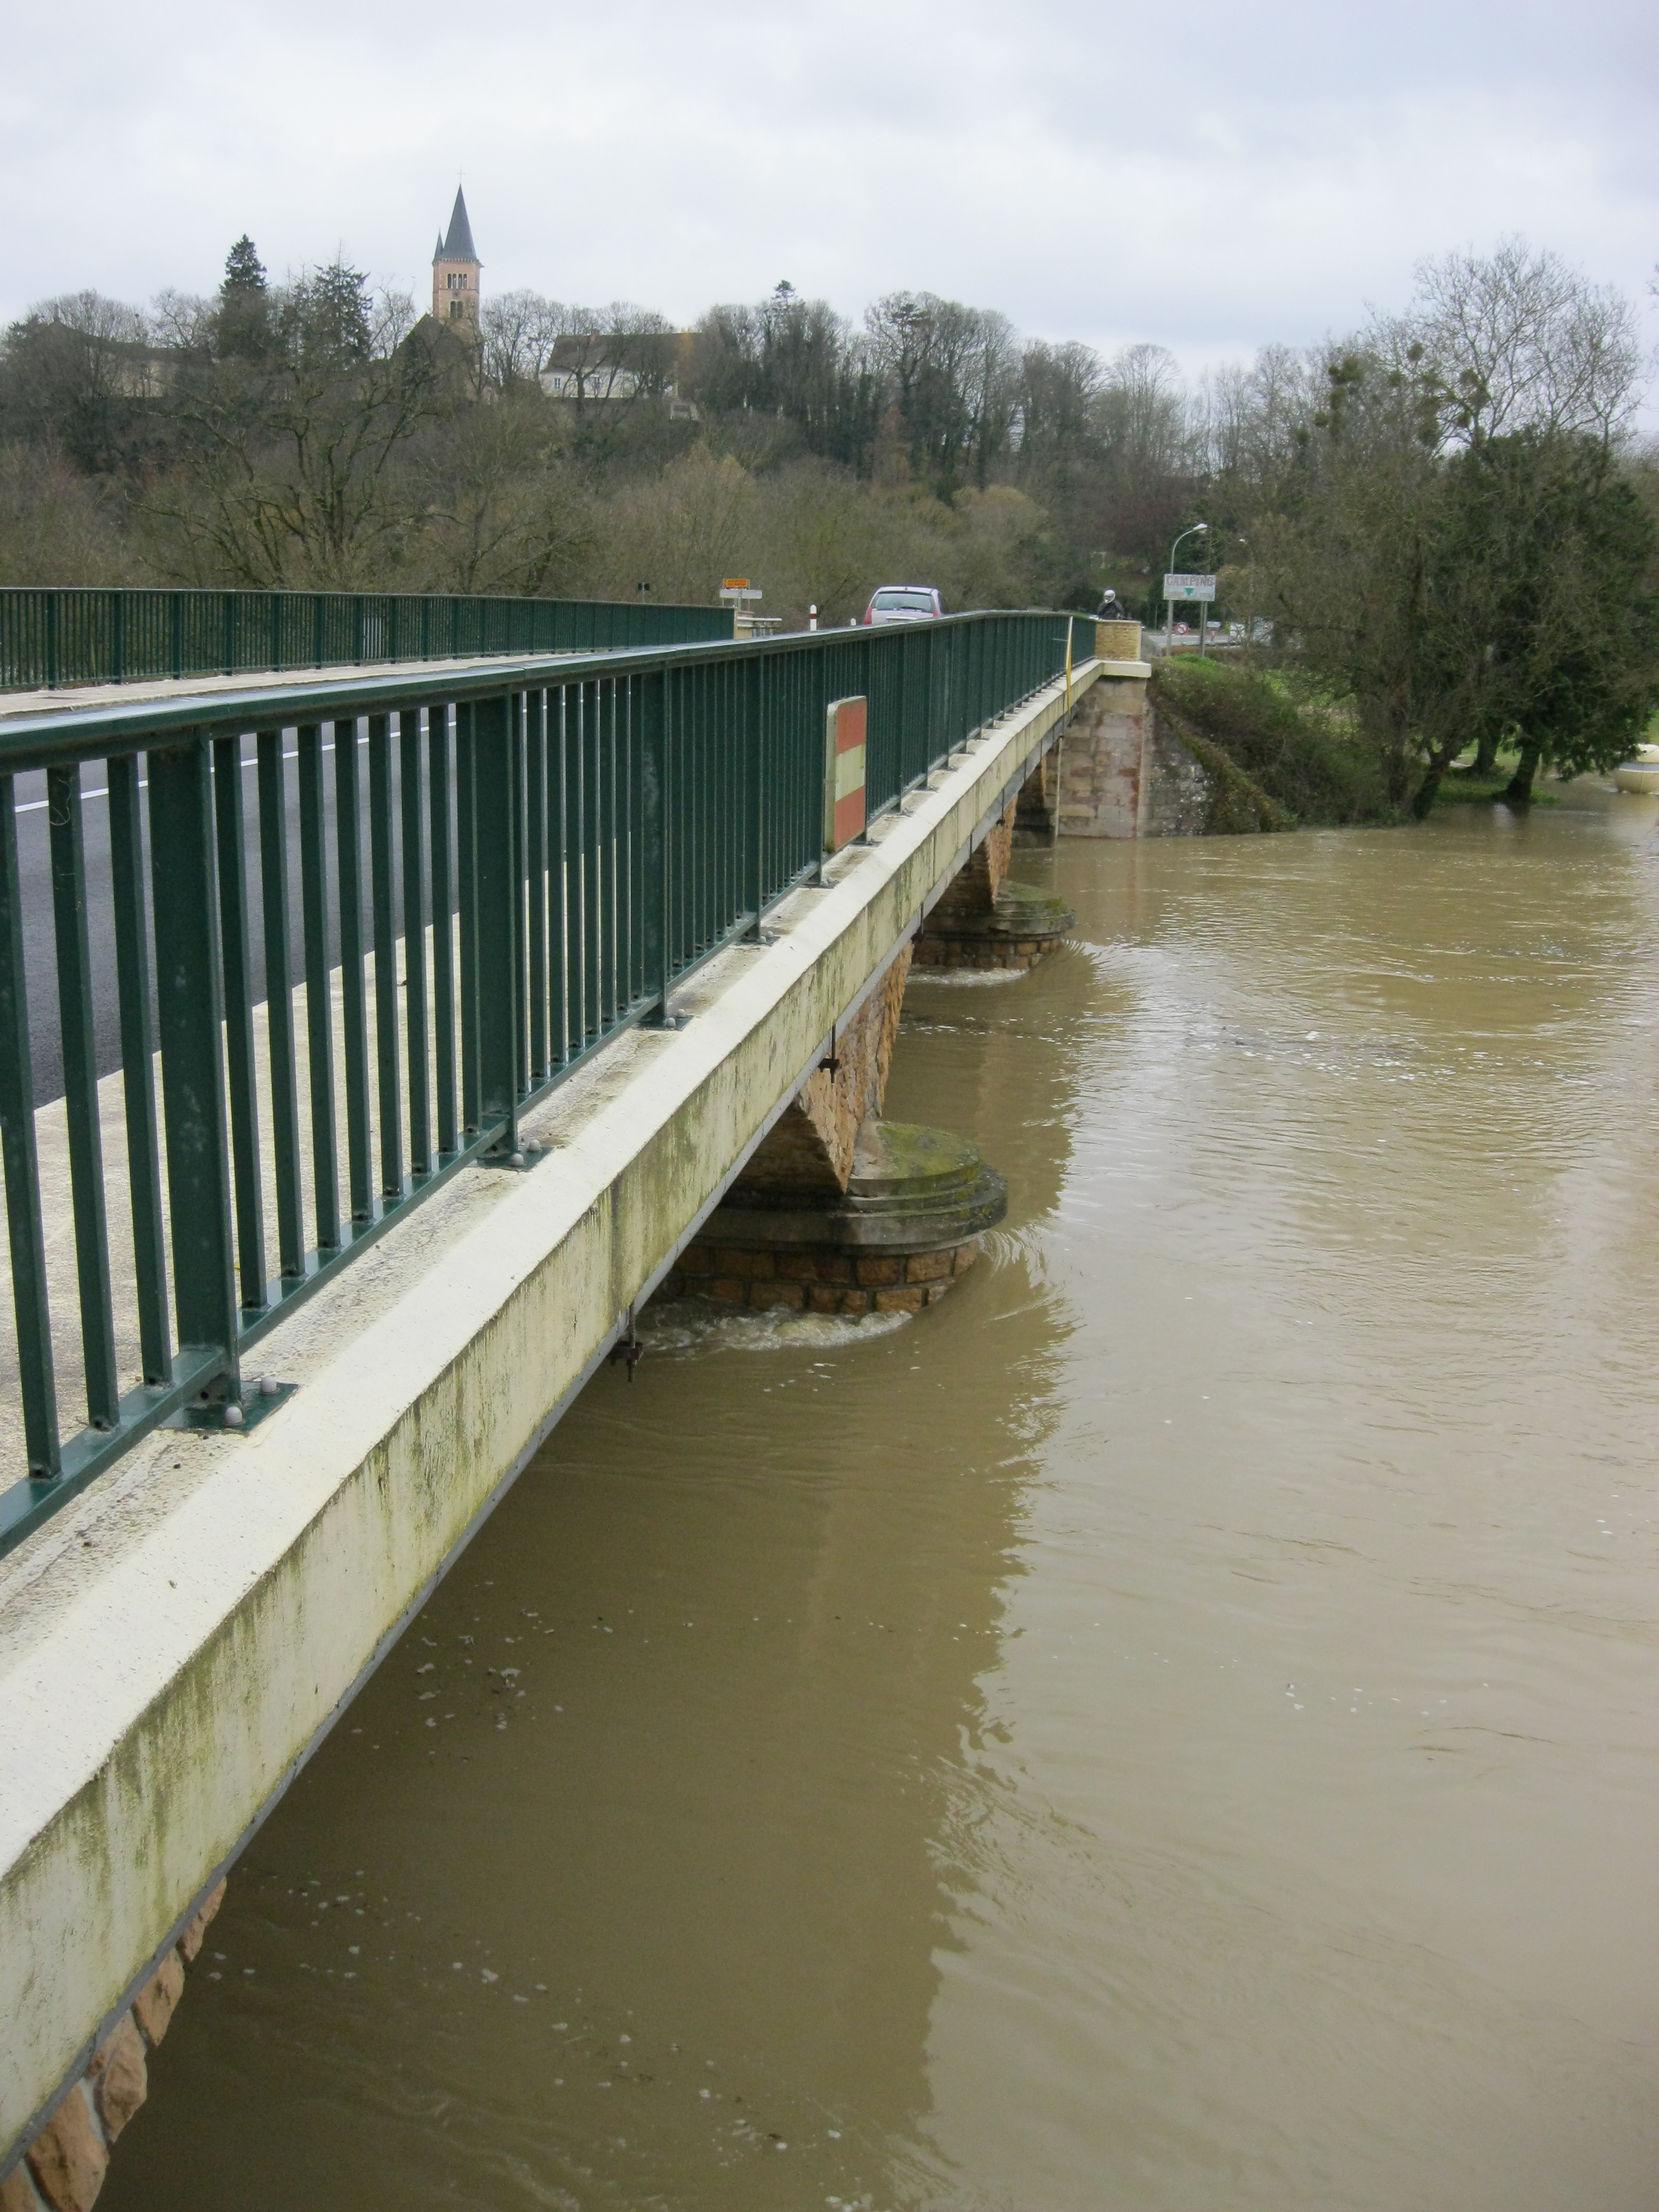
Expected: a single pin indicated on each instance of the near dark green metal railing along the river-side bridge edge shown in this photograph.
(479, 881)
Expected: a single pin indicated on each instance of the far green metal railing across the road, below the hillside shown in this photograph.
(52, 638)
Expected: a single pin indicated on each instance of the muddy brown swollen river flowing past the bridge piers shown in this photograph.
(1173, 1729)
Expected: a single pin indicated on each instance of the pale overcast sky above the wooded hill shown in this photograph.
(1204, 178)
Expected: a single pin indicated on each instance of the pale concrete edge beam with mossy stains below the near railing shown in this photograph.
(176, 1645)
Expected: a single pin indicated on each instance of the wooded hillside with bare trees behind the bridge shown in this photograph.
(1446, 519)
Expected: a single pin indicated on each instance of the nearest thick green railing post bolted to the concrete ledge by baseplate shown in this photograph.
(194, 1092)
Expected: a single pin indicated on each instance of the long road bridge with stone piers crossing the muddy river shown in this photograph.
(373, 1047)
